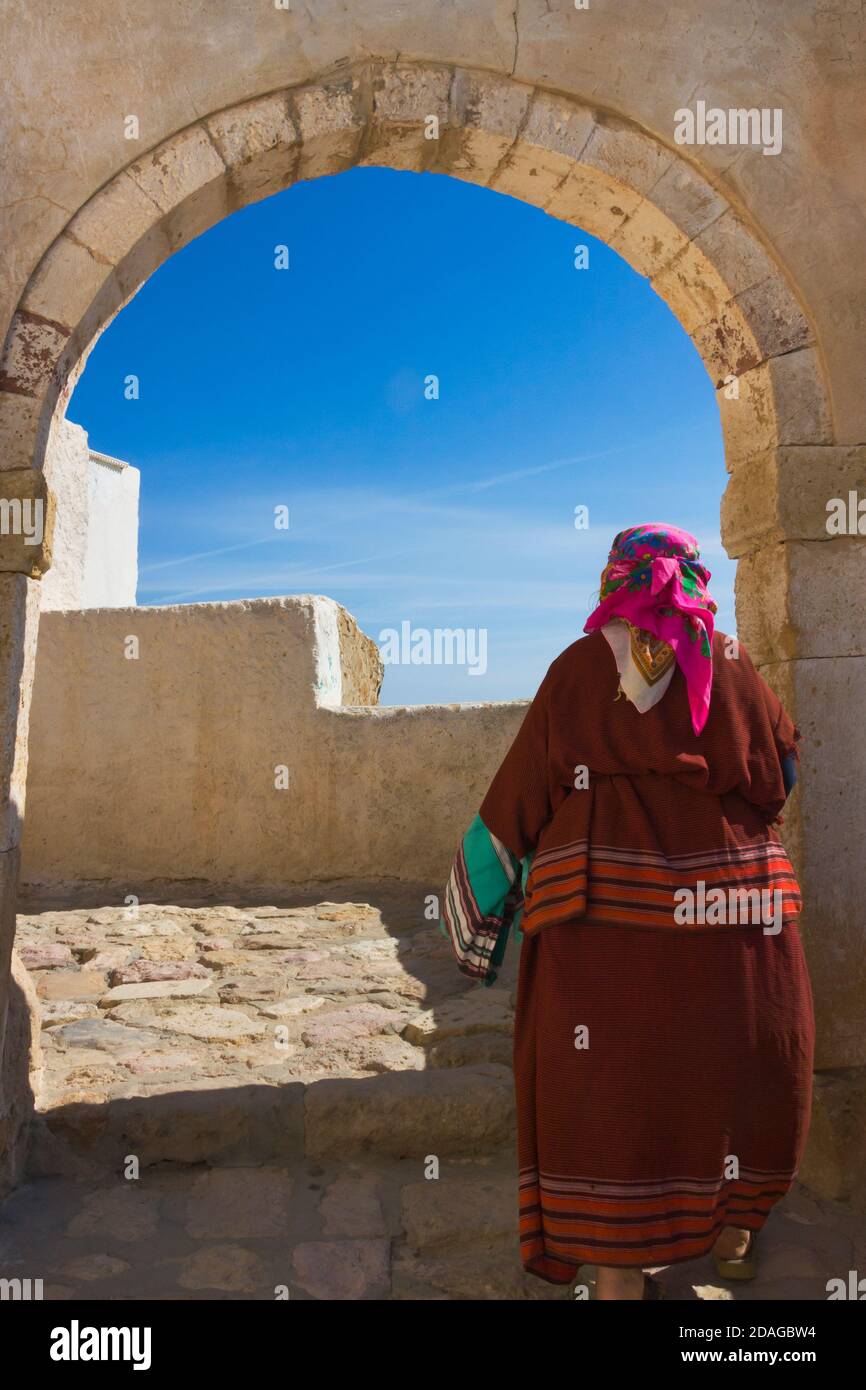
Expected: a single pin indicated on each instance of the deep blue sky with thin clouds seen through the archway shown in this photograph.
(305, 389)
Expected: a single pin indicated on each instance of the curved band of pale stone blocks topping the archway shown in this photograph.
(579, 165)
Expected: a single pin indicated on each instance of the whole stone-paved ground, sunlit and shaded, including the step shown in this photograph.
(245, 1100)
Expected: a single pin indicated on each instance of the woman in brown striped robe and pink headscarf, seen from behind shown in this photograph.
(664, 1027)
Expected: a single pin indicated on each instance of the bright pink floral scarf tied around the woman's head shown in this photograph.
(657, 586)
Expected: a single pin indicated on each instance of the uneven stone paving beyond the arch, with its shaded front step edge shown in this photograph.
(222, 1035)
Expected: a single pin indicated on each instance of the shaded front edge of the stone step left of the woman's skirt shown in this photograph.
(444, 1114)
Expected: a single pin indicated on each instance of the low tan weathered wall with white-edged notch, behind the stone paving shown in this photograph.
(163, 767)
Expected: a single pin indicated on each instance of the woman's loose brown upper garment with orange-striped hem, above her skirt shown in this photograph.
(628, 811)
